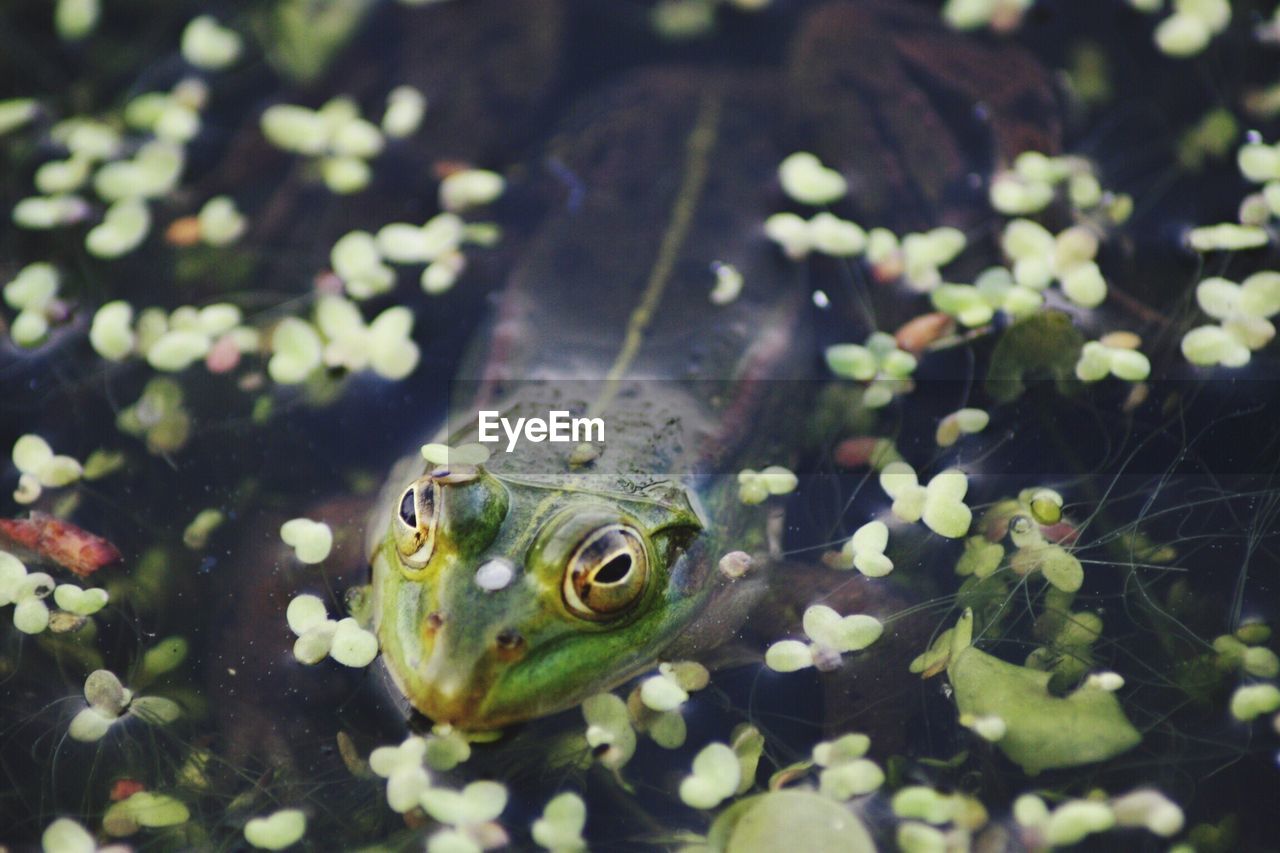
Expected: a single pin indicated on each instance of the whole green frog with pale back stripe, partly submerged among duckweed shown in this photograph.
(519, 587)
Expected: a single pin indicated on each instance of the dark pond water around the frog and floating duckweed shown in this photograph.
(1171, 491)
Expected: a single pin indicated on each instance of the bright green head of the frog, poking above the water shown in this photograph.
(500, 600)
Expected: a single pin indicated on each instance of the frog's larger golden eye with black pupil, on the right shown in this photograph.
(607, 573)
